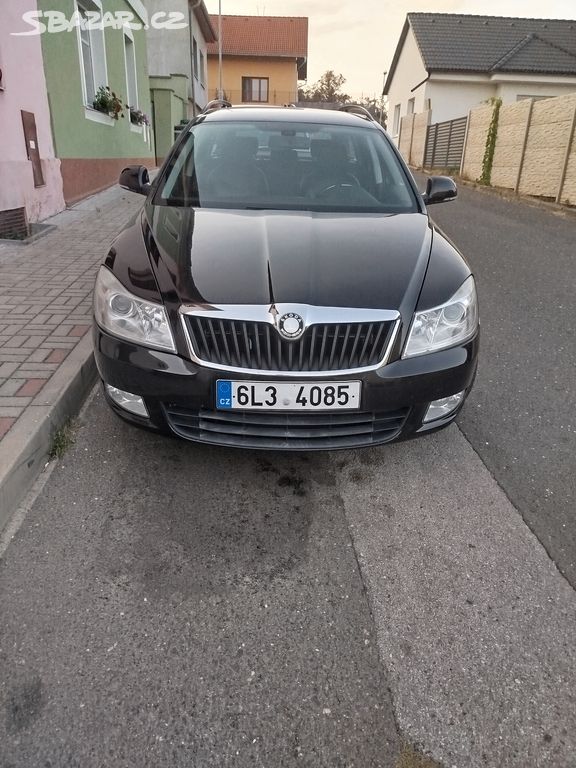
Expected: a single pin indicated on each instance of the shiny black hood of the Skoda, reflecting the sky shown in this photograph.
(214, 257)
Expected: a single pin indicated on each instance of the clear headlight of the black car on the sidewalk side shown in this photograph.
(122, 314)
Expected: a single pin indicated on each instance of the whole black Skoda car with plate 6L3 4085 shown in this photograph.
(284, 288)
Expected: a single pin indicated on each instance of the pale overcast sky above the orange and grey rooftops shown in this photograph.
(358, 37)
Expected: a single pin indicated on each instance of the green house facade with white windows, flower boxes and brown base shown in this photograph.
(95, 62)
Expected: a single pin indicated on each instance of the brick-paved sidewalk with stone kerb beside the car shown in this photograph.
(46, 363)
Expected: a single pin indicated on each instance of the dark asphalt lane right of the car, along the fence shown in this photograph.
(521, 416)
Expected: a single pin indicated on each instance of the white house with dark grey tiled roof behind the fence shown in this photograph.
(449, 63)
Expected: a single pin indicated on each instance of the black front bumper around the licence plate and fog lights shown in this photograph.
(180, 398)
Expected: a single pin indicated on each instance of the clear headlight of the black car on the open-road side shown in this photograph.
(444, 326)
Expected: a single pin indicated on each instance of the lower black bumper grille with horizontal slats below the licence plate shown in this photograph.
(285, 431)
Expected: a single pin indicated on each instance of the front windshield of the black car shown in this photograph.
(287, 165)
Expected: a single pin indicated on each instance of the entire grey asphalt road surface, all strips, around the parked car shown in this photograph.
(166, 604)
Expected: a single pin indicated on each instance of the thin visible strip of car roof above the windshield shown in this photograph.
(286, 114)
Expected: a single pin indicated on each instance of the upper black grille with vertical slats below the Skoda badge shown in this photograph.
(258, 346)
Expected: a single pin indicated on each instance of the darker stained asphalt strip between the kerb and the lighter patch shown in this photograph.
(166, 604)
